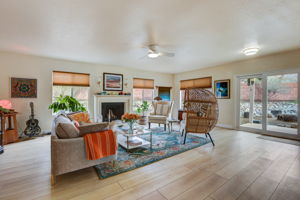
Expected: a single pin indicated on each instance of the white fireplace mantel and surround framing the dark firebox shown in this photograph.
(99, 99)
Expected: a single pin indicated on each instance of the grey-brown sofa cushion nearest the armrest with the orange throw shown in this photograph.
(66, 130)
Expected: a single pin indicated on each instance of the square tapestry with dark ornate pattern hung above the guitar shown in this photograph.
(23, 88)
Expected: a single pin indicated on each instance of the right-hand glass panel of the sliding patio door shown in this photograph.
(282, 105)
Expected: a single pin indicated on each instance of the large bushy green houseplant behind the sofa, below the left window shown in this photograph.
(66, 103)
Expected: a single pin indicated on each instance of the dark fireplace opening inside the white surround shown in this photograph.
(112, 111)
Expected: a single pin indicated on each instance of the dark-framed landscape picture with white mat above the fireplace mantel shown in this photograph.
(112, 82)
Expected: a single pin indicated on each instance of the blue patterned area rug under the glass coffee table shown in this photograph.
(165, 145)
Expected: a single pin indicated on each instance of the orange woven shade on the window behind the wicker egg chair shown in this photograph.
(196, 83)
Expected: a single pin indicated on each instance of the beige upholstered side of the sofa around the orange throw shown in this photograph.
(69, 155)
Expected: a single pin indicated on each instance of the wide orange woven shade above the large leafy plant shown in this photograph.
(71, 79)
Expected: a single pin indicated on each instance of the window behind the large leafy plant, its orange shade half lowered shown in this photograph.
(72, 84)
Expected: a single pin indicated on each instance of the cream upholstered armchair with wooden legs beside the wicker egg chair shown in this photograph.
(162, 111)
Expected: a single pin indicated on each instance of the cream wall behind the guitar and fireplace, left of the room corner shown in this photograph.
(24, 66)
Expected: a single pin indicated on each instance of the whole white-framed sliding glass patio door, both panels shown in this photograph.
(268, 103)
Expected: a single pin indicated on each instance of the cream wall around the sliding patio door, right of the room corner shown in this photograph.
(281, 61)
